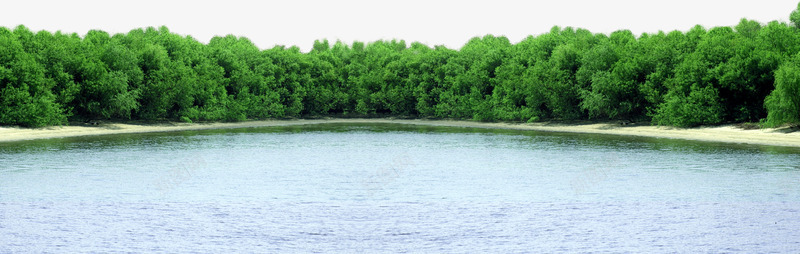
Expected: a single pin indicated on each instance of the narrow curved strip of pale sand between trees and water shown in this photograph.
(727, 134)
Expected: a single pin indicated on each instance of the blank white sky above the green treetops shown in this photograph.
(449, 22)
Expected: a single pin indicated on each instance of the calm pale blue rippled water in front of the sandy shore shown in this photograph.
(395, 188)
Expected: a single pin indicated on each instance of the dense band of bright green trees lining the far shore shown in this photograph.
(704, 76)
